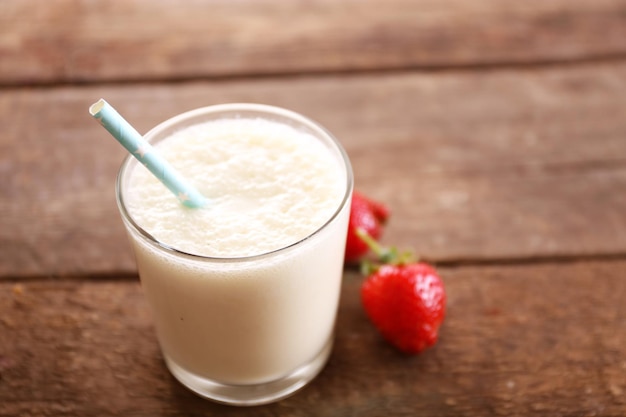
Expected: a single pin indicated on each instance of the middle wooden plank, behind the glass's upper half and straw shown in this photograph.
(475, 166)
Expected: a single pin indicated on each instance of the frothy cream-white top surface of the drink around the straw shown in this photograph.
(268, 185)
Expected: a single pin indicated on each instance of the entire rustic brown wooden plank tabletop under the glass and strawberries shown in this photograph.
(495, 130)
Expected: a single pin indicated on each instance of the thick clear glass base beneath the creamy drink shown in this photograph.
(248, 395)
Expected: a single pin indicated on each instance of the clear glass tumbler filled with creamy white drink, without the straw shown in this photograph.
(244, 291)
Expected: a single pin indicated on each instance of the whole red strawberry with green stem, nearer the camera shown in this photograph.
(405, 301)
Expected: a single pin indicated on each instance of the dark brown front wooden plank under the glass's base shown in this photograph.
(517, 340)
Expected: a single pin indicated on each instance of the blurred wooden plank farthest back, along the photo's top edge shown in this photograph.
(69, 40)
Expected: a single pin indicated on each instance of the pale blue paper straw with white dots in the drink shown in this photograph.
(145, 153)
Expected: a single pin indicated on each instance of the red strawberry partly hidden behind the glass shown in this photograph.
(368, 215)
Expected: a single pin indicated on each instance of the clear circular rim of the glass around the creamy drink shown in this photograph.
(232, 107)
